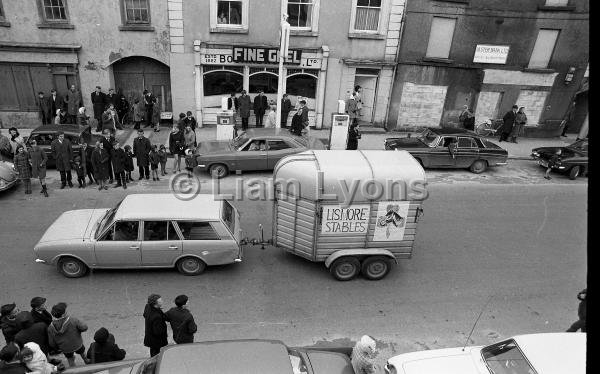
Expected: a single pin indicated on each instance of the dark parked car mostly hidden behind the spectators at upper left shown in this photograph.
(45, 134)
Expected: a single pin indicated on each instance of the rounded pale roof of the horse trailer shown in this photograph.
(339, 173)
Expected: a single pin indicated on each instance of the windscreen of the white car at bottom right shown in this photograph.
(506, 358)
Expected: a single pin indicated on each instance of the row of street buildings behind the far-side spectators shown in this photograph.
(418, 61)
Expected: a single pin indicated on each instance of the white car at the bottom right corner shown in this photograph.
(548, 353)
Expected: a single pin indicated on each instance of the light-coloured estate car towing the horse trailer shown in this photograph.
(144, 231)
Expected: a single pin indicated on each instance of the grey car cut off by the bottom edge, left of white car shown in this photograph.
(232, 357)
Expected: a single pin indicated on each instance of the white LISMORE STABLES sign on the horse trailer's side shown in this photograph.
(353, 220)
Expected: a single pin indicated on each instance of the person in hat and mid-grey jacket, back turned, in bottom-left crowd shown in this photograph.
(64, 334)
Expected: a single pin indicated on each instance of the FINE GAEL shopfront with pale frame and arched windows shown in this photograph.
(222, 70)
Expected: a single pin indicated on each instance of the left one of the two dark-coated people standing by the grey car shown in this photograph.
(155, 331)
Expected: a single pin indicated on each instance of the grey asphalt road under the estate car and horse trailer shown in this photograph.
(524, 246)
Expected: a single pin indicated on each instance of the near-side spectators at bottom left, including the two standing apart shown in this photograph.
(35, 338)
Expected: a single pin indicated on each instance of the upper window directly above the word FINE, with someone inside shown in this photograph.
(229, 16)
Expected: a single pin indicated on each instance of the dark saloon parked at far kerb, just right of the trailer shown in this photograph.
(451, 148)
